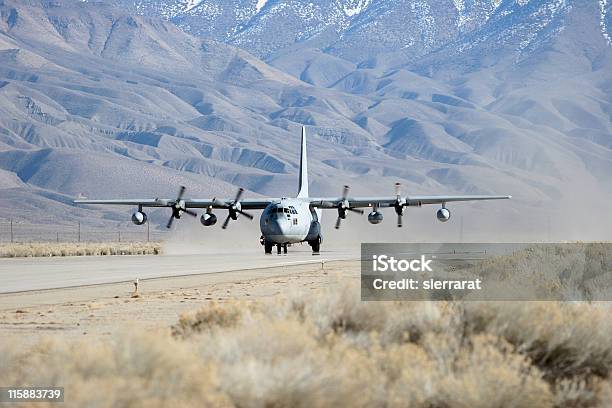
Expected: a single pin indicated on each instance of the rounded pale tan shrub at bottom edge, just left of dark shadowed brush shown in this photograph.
(485, 373)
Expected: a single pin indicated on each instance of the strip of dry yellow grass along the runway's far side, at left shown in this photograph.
(79, 249)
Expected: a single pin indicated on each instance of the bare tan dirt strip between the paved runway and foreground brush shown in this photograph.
(105, 309)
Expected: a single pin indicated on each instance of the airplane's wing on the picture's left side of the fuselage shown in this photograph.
(247, 204)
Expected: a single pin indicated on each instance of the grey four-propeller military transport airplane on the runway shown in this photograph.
(286, 221)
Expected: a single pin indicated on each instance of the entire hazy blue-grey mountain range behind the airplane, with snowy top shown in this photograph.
(128, 97)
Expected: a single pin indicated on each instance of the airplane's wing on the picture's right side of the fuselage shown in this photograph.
(391, 201)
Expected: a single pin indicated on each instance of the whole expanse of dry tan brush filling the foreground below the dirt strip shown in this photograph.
(331, 349)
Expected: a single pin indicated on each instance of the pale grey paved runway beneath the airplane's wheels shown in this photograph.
(26, 274)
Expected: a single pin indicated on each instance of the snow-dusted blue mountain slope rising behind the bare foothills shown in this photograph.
(359, 30)
